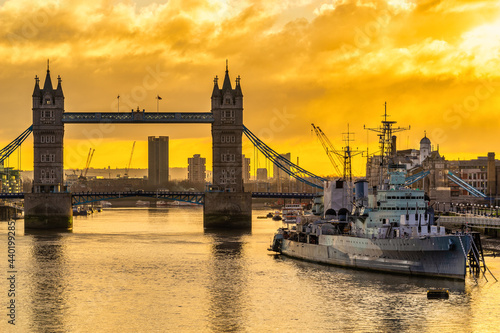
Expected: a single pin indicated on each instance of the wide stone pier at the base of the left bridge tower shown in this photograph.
(48, 211)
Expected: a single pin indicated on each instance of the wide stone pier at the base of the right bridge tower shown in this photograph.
(227, 210)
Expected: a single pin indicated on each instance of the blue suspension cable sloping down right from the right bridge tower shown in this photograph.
(281, 162)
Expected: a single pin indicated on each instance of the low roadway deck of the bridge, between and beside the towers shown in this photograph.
(81, 198)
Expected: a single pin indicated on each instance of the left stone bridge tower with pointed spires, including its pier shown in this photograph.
(49, 205)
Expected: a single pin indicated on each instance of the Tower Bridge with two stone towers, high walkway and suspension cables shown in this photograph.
(226, 206)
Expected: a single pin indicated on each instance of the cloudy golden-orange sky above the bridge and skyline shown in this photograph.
(327, 62)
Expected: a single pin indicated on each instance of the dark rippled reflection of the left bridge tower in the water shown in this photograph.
(48, 302)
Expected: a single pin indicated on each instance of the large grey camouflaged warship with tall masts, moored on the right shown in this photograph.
(390, 229)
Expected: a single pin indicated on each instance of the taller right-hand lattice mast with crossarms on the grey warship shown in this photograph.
(385, 133)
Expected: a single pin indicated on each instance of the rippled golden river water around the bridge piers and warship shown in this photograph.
(157, 270)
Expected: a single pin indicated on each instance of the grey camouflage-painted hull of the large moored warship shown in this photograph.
(441, 256)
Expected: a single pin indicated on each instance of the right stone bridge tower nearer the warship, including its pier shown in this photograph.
(226, 204)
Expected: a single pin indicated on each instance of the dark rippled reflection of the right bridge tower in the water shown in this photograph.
(228, 281)
